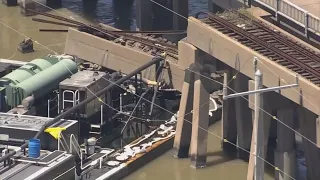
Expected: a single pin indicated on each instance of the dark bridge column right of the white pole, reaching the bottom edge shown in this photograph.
(285, 154)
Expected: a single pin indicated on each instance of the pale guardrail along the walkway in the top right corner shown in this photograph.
(294, 13)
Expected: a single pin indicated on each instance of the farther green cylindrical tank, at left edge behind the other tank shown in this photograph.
(28, 70)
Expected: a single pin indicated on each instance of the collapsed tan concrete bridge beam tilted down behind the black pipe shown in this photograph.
(120, 58)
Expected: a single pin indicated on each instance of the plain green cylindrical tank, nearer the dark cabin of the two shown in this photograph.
(46, 81)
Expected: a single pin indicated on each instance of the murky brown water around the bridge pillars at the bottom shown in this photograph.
(219, 166)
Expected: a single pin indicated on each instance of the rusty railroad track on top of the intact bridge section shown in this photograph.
(270, 43)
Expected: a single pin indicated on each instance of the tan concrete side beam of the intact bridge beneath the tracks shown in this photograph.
(229, 51)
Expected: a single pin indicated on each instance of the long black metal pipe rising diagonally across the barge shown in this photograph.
(81, 104)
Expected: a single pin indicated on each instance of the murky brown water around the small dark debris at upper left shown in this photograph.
(10, 39)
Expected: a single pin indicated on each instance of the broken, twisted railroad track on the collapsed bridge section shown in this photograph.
(144, 42)
